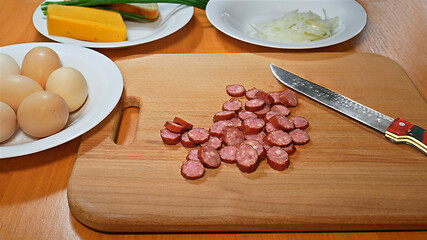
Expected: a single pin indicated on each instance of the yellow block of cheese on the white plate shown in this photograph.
(83, 23)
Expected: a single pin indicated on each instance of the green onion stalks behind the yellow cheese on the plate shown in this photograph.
(98, 4)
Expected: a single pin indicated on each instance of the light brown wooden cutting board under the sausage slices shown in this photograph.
(348, 177)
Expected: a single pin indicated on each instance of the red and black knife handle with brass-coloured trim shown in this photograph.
(402, 131)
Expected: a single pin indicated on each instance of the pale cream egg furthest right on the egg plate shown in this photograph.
(70, 84)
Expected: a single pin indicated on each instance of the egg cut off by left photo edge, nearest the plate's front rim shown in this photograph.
(7, 122)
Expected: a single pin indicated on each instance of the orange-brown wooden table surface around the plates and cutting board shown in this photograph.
(33, 188)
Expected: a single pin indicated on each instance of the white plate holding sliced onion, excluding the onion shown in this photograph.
(234, 17)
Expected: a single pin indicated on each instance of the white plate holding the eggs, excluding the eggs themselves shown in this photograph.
(105, 86)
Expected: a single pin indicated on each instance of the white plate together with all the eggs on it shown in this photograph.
(51, 93)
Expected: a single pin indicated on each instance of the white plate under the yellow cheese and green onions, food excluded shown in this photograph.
(172, 18)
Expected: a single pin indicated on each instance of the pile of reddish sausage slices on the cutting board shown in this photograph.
(242, 133)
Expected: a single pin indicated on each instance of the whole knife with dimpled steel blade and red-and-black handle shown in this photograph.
(395, 130)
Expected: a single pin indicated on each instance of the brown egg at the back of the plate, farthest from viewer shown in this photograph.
(39, 63)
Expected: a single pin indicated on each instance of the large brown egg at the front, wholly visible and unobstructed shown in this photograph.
(42, 114)
